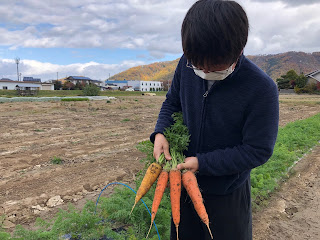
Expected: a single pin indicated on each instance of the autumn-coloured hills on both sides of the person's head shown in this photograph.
(274, 65)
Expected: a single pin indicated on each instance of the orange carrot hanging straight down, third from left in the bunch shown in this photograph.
(175, 194)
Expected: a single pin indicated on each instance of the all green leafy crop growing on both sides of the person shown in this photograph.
(112, 215)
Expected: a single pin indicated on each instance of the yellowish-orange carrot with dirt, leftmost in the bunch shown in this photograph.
(149, 178)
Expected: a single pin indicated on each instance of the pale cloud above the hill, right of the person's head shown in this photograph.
(282, 28)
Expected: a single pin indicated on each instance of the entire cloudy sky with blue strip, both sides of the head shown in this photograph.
(100, 38)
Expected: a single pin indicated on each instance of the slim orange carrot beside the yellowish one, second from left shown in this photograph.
(160, 188)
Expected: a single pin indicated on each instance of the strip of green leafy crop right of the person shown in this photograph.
(294, 140)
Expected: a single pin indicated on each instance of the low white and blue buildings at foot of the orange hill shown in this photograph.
(137, 85)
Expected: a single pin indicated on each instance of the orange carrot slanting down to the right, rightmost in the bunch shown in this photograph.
(190, 183)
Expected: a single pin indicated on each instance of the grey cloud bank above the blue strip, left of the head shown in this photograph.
(131, 24)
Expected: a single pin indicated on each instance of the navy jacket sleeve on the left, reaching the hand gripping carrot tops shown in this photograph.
(171, 105)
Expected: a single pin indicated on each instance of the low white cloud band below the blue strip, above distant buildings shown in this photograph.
(47, 71)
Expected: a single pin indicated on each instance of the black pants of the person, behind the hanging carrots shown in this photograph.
(229, 215)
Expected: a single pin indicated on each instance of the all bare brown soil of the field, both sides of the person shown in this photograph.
(97, 140)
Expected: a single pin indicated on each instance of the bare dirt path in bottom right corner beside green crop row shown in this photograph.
(294, 211)
